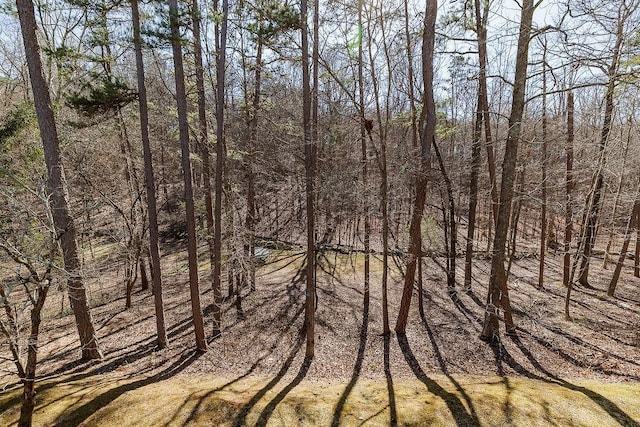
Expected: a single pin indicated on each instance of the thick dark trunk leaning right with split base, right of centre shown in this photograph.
(498, 294)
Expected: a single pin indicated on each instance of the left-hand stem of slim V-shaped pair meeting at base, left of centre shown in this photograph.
(206, 162)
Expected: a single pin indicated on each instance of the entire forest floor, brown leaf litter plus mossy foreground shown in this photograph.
(556, 372)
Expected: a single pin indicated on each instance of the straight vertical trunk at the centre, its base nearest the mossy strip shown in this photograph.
(309, 163)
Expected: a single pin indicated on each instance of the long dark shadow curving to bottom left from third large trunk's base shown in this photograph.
(81, 413)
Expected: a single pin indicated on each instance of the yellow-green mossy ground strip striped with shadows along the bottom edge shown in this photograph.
(437, 400)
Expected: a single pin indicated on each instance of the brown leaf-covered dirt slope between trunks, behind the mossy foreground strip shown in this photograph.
(601, 342)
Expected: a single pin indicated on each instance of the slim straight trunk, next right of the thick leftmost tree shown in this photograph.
(149, 180)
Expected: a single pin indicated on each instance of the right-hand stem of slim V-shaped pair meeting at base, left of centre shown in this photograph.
(221, 42)
